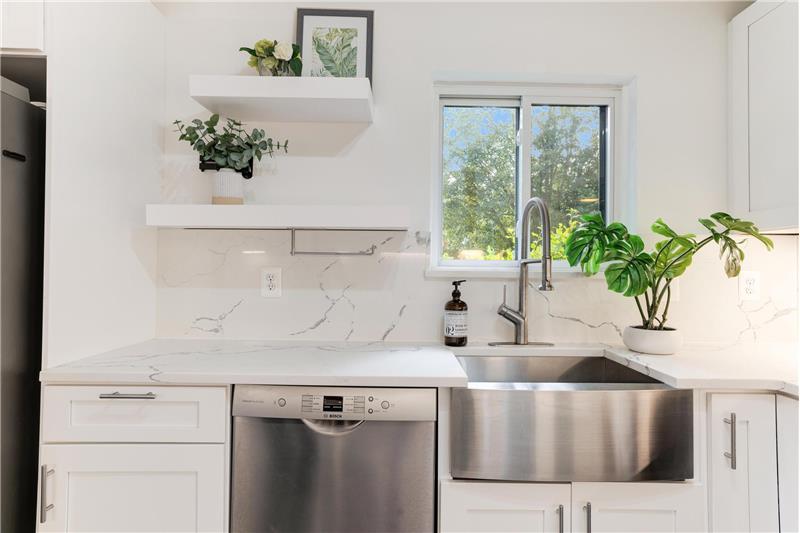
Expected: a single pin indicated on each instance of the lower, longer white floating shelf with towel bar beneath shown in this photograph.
(330, 217)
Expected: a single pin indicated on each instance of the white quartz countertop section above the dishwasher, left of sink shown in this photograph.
(226, 362)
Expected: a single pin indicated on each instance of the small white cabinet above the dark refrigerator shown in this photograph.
(22, 25)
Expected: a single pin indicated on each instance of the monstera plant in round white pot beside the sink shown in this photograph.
(647, 276)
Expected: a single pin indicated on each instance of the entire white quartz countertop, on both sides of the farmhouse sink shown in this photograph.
(747, 367)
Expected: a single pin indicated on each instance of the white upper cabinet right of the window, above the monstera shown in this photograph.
(762, 144)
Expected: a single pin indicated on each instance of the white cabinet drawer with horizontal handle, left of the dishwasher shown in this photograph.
(133, 414)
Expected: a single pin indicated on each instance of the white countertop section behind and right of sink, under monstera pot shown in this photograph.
(748, 367)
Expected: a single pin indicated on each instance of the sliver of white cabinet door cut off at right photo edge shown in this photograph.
(787, 463)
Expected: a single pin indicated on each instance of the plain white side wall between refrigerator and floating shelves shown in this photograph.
(105, 110)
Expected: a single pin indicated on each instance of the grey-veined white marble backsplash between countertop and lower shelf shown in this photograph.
(208, 286)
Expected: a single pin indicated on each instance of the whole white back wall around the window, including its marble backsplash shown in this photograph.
(675, 51)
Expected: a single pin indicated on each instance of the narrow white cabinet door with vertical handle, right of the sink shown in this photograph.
(742, 462)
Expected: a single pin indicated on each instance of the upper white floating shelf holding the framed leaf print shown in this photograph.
(284, 99)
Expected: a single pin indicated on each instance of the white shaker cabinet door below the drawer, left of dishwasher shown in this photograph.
(143, 488)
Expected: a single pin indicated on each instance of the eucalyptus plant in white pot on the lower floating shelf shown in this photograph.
(229, 152)
